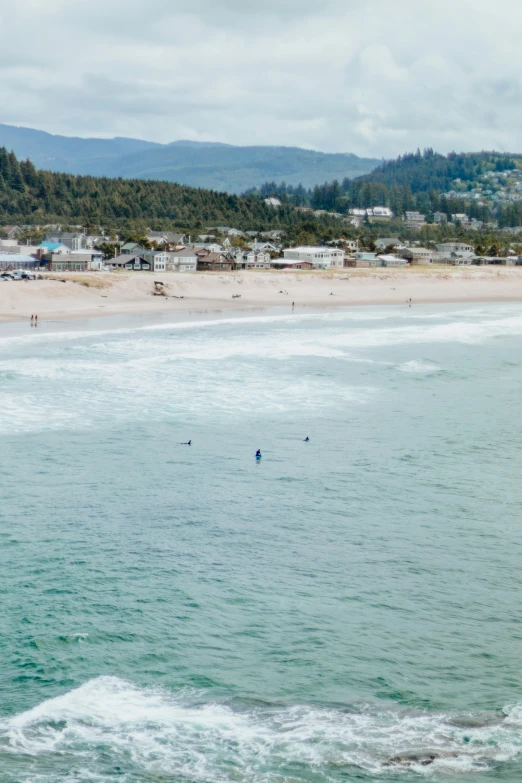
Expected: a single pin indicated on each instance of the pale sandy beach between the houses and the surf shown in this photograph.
(86, 295)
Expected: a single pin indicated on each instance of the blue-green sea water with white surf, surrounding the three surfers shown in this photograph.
(347, 609)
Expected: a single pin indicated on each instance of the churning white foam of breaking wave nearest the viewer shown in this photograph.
(184, 736)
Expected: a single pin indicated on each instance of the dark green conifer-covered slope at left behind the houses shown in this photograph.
(35, 197)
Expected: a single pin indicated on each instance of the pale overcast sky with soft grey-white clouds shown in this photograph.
(367, 76)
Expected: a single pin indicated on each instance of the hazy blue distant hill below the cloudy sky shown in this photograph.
(215, 166)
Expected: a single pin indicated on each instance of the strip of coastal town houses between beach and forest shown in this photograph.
(225, 249)
